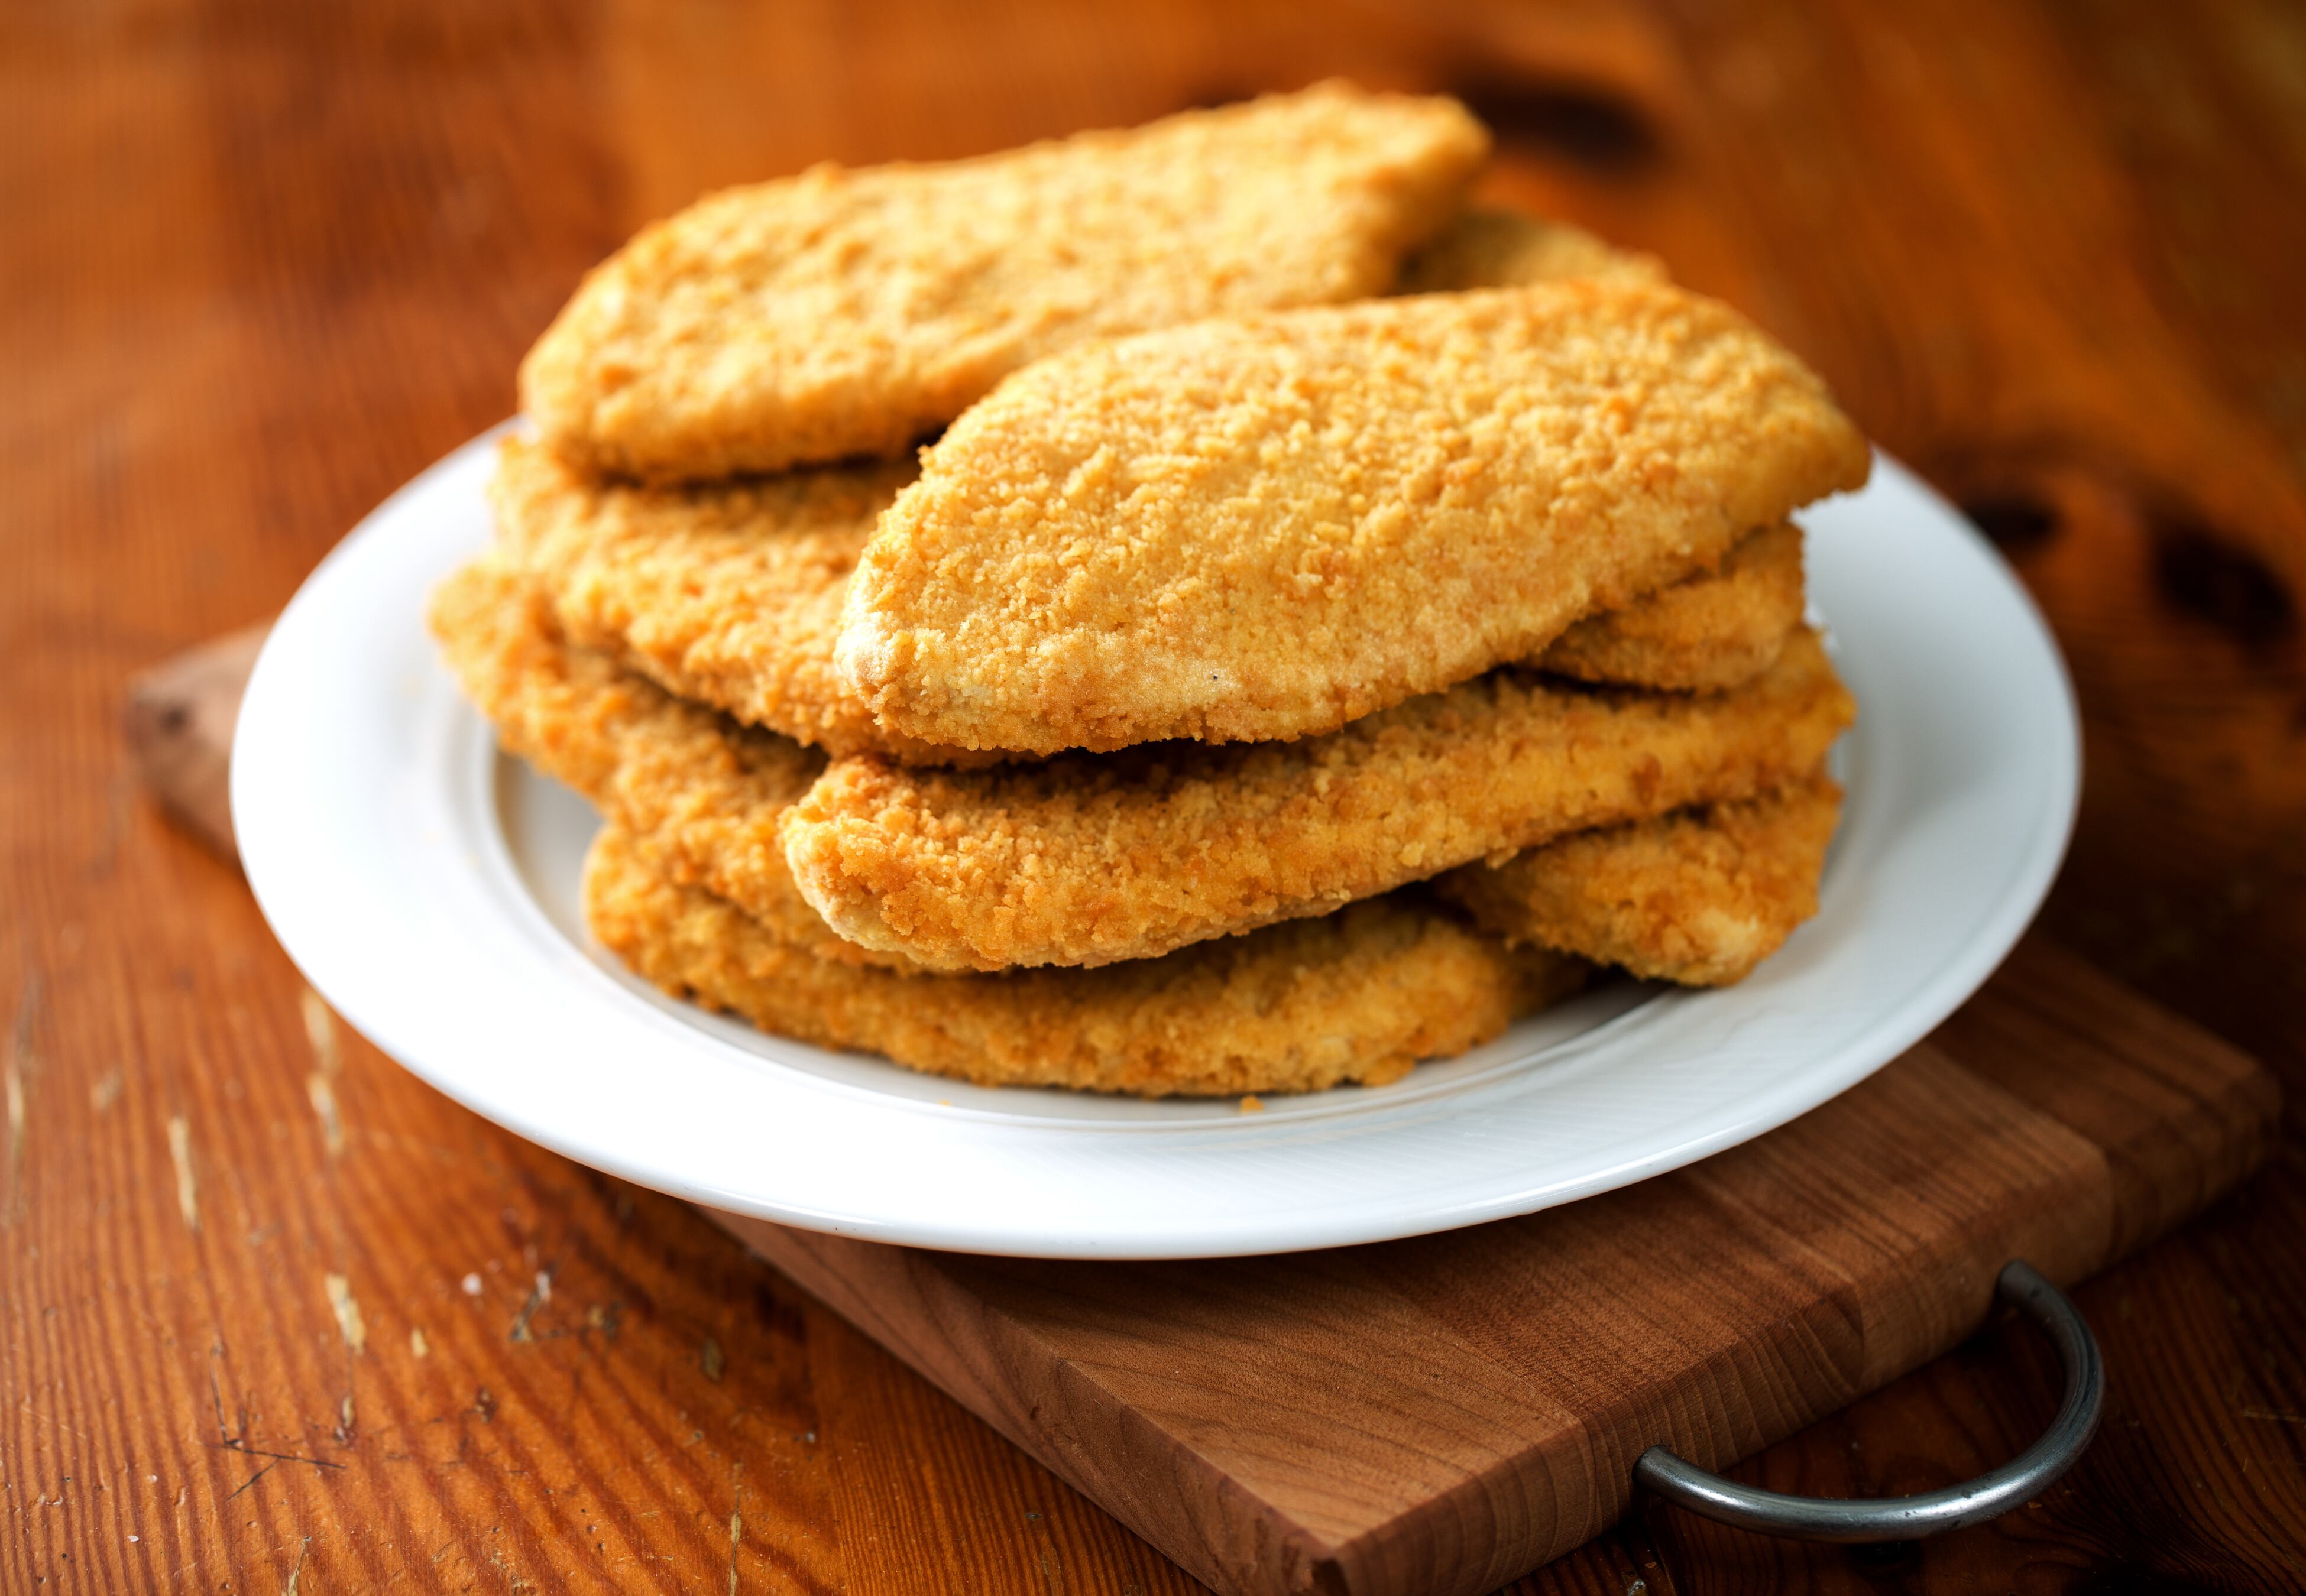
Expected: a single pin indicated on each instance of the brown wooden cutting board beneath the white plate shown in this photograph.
(1442, 1415)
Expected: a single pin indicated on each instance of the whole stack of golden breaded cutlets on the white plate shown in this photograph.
(1327, 624)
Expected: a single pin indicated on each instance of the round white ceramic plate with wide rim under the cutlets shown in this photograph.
(428, 887)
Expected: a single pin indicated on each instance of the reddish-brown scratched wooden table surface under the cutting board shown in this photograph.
(273, 1316)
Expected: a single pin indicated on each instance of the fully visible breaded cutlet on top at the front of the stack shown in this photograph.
(1272, 527)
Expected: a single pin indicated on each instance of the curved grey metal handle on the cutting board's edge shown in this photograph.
(1908, 1519)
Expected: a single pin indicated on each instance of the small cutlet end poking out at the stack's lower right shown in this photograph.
(1696, 898)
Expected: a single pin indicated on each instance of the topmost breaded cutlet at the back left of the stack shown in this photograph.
(850, 313)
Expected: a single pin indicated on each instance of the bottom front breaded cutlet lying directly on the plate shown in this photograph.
(1352, 997)
